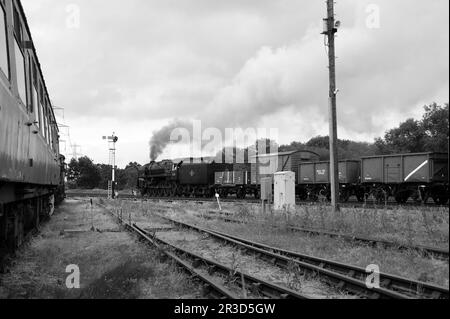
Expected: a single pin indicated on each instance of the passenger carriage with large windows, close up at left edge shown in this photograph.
(32, 170)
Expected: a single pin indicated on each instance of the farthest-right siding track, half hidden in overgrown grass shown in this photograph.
(431, 252)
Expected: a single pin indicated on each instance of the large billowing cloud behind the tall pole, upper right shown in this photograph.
(388, 70)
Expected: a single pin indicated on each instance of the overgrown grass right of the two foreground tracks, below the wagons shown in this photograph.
(421, 226)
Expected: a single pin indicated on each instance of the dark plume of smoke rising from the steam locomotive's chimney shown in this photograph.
(161, 138)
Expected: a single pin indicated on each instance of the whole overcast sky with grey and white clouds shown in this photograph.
(133, 67)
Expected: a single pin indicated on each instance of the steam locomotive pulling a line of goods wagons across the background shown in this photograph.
(404, 176)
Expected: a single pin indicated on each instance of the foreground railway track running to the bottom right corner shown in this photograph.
(345, 276)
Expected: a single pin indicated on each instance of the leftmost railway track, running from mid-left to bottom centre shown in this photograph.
(253, 287)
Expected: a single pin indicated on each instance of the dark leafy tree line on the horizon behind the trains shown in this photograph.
(430, 134)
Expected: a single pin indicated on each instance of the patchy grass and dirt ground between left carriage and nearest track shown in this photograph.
(112, 263)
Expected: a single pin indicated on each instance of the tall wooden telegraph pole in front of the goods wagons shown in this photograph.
(330, 31)
